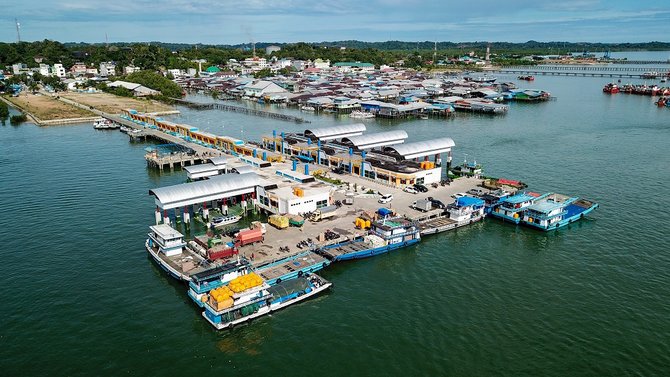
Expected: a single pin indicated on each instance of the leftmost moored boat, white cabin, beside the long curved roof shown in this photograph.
(167, 248)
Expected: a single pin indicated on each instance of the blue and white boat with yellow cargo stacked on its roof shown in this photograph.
(228, 306)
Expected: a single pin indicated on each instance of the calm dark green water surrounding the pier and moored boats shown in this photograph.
(80, 296)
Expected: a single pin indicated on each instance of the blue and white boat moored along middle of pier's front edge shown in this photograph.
(385, 235)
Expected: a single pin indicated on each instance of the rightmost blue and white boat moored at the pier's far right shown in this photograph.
(556, 211)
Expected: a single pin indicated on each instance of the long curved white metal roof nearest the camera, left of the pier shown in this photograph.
(218, 187)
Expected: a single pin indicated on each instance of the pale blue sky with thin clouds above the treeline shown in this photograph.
(246, 21)
